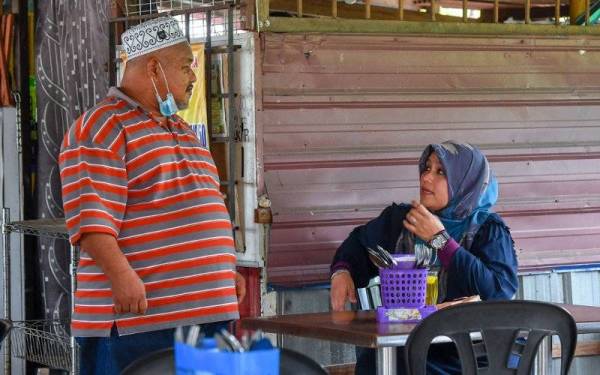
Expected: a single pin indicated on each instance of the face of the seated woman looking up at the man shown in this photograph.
(434, 185)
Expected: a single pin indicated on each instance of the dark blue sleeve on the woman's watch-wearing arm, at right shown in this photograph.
(488, 269)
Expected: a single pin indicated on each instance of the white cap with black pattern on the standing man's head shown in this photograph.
(151, 36)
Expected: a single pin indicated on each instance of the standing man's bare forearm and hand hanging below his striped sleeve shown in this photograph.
(129, 293)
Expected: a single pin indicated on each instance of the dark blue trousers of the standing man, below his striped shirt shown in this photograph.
(111, 355)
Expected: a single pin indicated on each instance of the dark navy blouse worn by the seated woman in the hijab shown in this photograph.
(487, 269)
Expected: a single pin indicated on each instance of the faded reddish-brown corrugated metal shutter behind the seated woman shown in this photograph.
(342, 119)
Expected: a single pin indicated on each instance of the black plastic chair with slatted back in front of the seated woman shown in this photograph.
(511, 333)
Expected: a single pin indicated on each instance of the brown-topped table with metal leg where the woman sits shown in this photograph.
(361, 328)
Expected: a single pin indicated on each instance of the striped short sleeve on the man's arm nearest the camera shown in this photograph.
(94, 187)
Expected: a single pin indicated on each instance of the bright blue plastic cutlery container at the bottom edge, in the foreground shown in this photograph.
(197, 361)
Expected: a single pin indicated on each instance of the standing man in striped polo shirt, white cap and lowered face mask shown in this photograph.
(141, 198)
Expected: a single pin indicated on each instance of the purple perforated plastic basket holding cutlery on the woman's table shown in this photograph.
(402, 287)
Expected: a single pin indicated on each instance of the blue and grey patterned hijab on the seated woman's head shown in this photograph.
(472, 188)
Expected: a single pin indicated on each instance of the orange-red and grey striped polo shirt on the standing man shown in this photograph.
(151, 185)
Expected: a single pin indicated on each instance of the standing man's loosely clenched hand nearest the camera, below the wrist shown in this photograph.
(129, 292)
